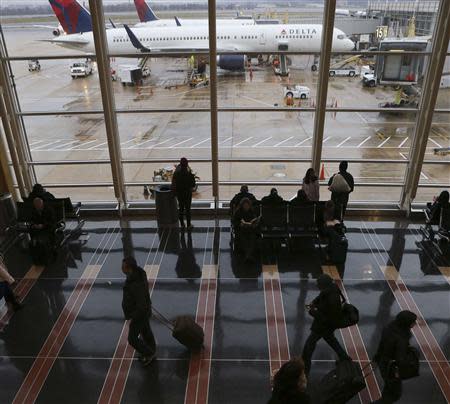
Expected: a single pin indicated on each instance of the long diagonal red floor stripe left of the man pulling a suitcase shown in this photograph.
(35, 379)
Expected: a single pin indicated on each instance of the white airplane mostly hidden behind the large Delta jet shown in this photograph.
(148, 18)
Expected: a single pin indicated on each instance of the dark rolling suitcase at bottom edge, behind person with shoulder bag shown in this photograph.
(342, 384)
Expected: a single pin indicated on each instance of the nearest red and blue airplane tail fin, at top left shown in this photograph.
(73, 17)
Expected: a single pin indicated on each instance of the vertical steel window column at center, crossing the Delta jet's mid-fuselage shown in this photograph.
(213, 102)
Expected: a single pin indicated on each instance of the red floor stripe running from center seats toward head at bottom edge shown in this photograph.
(275, 319)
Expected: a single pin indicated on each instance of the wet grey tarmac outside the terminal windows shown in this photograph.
(274, 135)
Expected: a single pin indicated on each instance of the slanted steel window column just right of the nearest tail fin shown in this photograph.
(109, 106)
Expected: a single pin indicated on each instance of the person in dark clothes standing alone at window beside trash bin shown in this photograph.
(183, 183)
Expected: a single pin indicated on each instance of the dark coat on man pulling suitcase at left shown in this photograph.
(136, 303)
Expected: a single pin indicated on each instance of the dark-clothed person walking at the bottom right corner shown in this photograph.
(392, 351)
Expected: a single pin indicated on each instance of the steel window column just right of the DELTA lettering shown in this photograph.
(322, 87)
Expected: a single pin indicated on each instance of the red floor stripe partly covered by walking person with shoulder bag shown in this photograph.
(355, 346)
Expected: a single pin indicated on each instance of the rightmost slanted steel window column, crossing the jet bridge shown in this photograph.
(440, 38)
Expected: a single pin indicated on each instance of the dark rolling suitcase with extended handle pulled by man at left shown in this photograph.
(184, 329)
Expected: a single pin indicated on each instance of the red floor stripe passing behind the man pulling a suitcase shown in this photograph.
(116, 379)
